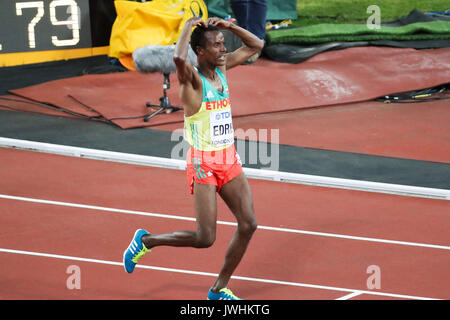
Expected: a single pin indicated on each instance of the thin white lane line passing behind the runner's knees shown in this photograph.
(167, 216)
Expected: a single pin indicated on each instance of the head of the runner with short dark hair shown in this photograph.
(208, 44)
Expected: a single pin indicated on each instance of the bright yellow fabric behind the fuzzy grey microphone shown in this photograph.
(157, 22)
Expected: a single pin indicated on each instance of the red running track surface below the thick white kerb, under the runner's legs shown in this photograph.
(293, 260)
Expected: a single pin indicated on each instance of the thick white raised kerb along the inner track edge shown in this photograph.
(279, 176)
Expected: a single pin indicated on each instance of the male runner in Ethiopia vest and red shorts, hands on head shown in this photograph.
(212, 162)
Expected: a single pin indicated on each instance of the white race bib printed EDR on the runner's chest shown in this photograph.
(221, 128)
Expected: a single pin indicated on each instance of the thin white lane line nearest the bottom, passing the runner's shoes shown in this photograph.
(209, 274)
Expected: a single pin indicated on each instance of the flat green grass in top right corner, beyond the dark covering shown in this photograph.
(355, 11)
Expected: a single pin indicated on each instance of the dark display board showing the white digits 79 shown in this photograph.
(41, 25)
